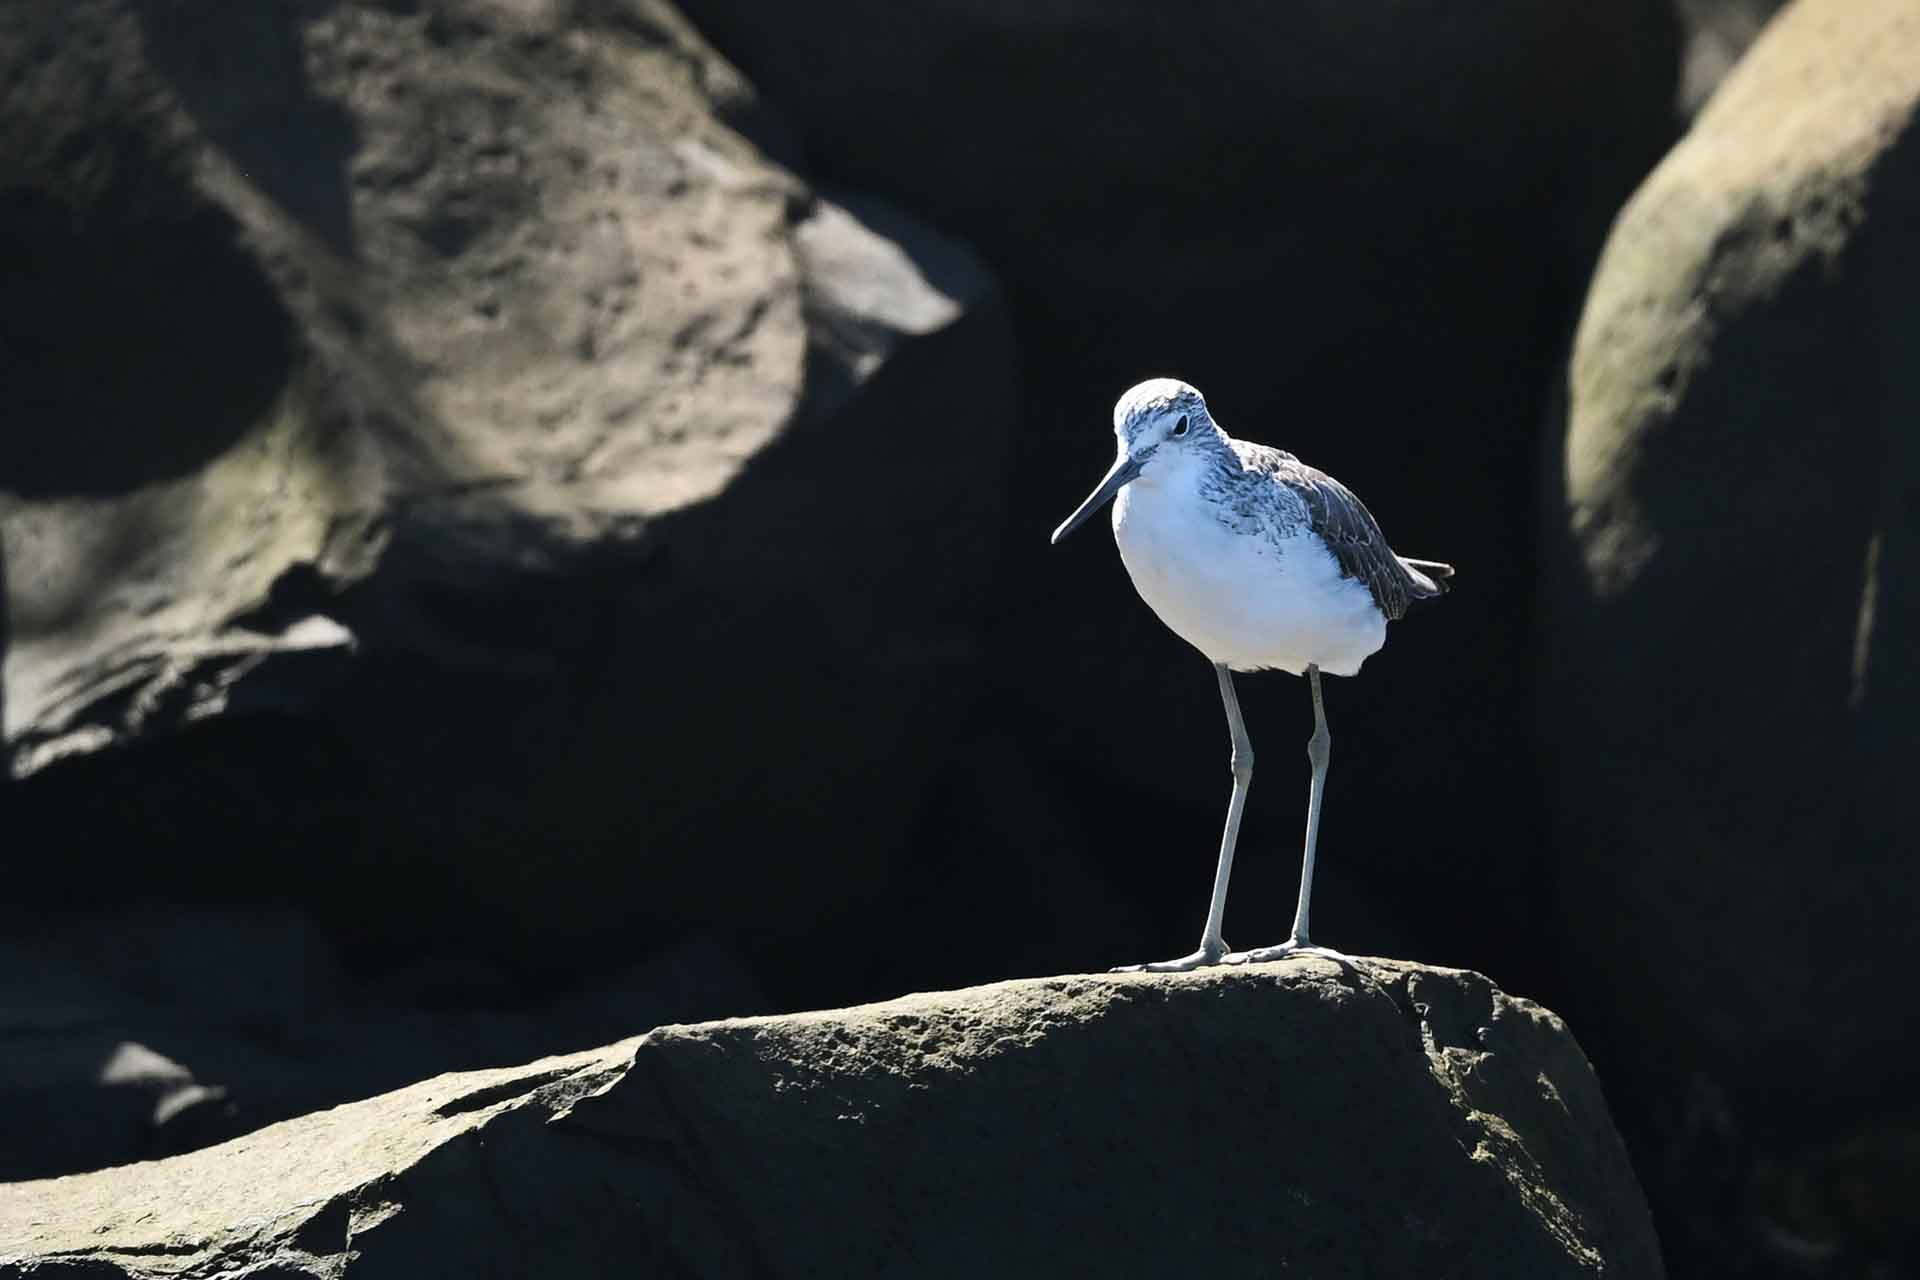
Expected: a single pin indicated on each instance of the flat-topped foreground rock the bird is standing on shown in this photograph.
(1291, 1120)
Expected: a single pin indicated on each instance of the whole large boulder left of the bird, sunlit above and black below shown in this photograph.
(446, 465)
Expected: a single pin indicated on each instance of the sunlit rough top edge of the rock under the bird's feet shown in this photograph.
(135, 1220)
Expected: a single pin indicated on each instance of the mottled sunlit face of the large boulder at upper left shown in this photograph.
(506, 272)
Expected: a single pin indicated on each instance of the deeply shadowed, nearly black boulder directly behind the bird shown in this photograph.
(1362, 229)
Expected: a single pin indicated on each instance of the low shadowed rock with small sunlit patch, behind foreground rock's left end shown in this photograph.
(162, 1026)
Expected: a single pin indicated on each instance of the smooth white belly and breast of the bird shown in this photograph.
(1245, 600)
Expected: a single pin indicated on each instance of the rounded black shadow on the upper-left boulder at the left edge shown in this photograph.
(135, 343)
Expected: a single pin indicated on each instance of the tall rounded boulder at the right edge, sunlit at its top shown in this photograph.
(1733, 676)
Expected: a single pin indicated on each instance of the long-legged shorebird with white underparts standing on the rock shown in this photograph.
(1260, 563)
